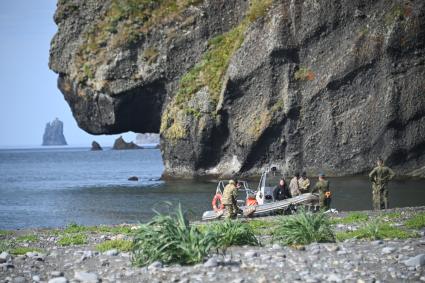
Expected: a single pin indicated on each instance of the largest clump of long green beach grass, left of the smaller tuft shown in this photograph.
(170, 239)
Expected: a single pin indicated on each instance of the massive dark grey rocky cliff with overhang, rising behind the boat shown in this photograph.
(234, 86)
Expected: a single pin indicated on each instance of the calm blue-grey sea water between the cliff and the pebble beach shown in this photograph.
(52, 187)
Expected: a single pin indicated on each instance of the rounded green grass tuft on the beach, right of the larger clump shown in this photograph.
(304, 228)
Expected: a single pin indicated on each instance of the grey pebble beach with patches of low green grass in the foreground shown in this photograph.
(86, 254)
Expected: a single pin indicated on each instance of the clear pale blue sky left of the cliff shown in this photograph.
(29, 96)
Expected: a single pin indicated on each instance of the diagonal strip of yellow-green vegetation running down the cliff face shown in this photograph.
(208, 73)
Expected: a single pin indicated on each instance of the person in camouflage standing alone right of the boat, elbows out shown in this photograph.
(380, 176)
